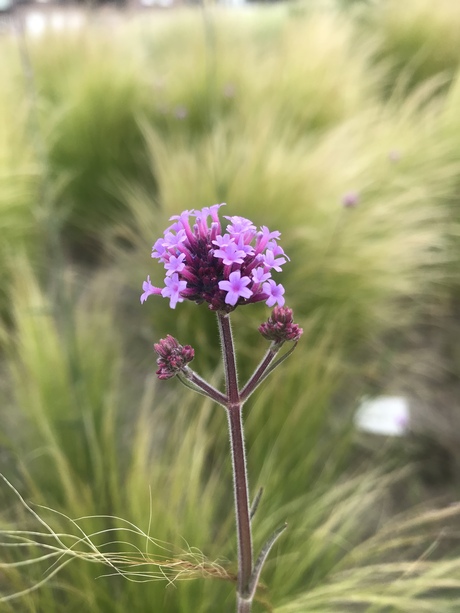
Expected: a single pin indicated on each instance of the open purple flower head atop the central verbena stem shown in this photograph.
(225, 267)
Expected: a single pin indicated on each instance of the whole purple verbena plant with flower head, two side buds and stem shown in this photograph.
(226, 265)
